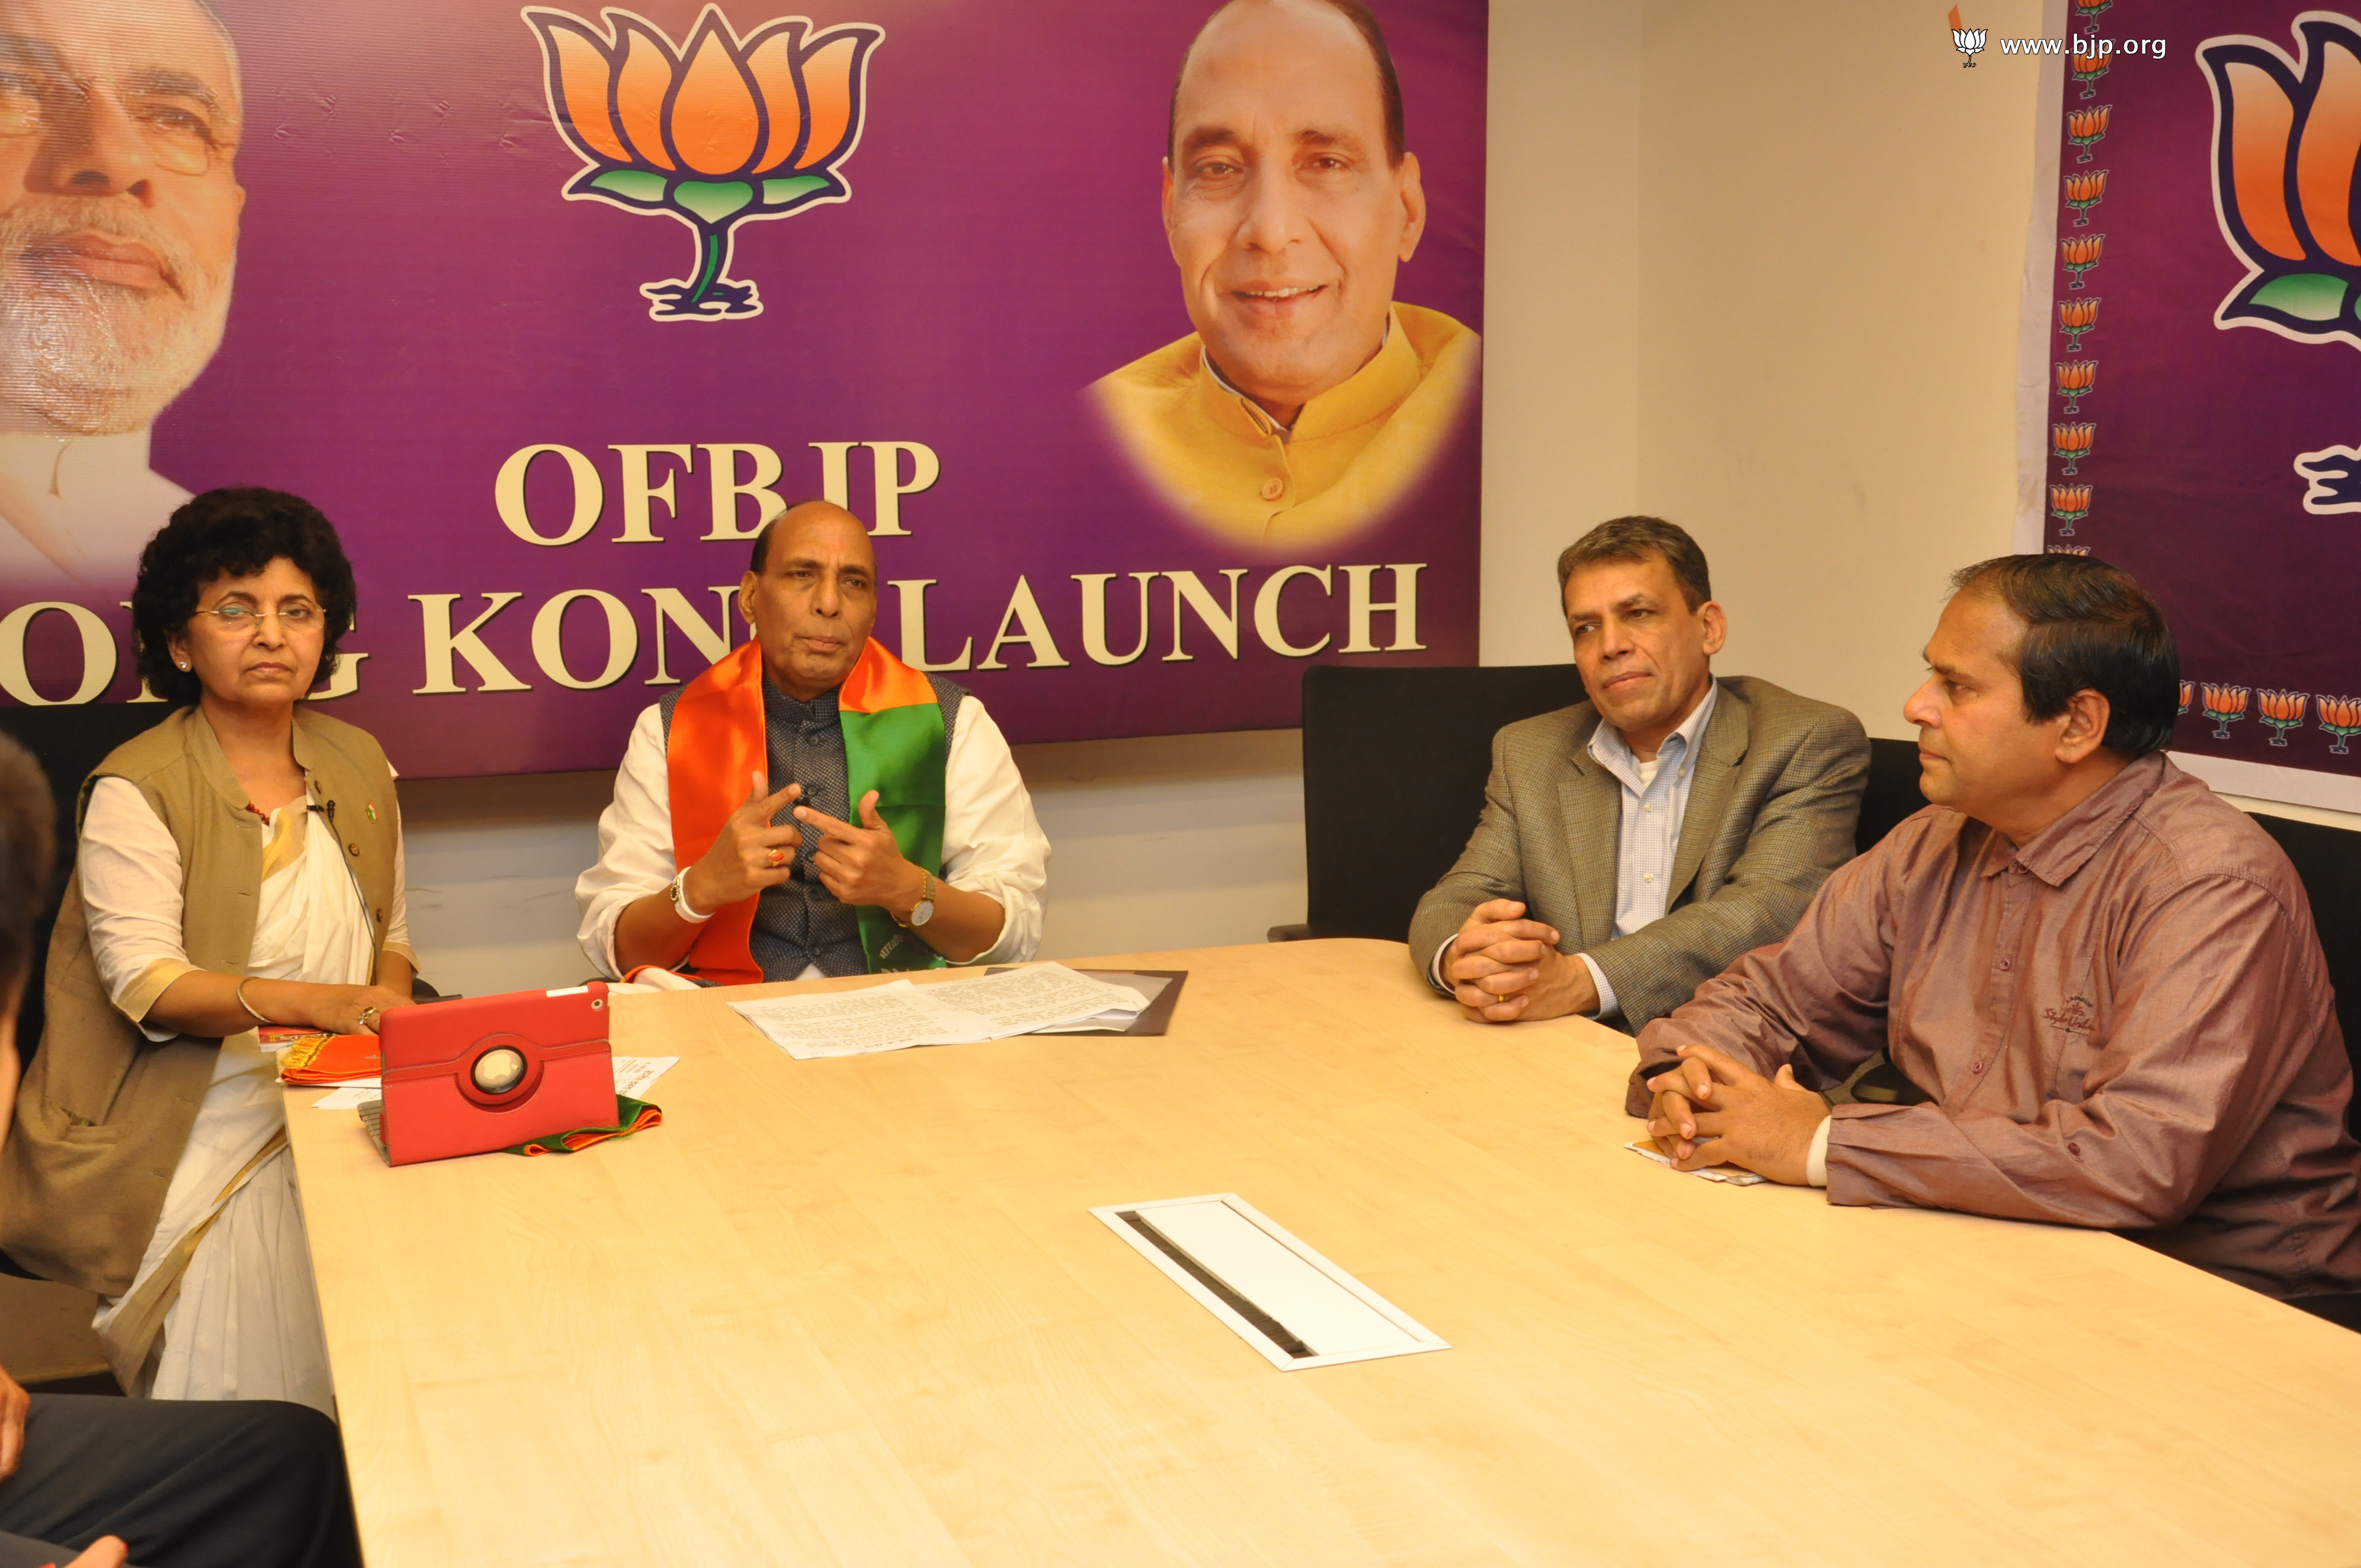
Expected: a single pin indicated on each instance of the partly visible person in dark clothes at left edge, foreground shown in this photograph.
(211, 1484)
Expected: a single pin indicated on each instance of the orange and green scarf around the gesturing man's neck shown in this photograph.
(894, 745)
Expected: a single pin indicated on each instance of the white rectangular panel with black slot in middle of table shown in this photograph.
(1276, 1293)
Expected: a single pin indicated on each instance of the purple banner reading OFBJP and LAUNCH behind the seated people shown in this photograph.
(549, 311)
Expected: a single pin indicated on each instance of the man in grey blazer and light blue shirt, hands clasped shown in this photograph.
(1635, 844)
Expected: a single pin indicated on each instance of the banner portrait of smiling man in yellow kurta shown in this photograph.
(1309, 398)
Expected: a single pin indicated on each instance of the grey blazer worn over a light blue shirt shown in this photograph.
(1770, 816)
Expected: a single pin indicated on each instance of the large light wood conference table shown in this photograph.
(861, 1312)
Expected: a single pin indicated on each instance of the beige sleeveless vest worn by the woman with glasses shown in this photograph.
(105, 1113)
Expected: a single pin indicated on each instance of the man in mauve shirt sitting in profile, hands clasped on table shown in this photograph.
(2102, 976)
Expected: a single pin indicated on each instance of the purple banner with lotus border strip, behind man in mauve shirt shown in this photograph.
(2206, 365)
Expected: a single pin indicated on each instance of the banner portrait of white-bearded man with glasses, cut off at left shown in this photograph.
(119, 230)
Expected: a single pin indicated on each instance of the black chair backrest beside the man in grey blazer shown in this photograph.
(1394, 771)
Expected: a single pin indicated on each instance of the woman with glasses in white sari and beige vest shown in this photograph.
(240, 870)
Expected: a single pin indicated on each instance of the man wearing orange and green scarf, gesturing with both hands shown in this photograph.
(811, 804)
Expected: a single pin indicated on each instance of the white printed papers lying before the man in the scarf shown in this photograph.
(950, 1014)
